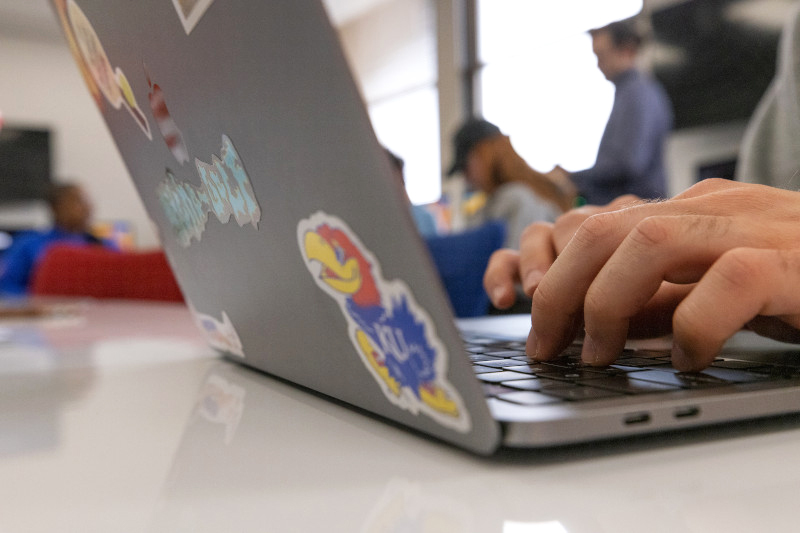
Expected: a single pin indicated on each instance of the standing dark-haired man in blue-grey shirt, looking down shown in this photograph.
(630, 158)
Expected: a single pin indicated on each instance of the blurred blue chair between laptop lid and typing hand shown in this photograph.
(461, 260)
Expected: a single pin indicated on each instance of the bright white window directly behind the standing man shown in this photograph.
(539, 80)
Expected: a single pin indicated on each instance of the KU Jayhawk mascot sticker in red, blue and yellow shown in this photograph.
(394, 337)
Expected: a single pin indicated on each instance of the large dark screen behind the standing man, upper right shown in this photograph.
(714, 65)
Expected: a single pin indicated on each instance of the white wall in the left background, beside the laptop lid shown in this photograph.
(40, 85)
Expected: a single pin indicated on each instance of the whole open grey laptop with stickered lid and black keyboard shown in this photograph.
(252, 151)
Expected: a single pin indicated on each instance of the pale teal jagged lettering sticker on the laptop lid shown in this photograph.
(225, 190)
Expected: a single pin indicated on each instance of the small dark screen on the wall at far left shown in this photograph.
(24, 164)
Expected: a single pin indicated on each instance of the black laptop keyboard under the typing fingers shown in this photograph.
(509, 375)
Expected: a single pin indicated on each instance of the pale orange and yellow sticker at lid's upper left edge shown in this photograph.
(112, 82)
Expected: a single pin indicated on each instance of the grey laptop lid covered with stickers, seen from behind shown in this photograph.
(252, 151)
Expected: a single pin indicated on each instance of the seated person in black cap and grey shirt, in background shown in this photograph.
(514, 193)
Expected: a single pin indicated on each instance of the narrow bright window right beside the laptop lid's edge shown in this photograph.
(392, 50)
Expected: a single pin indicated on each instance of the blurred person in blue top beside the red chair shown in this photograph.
(72, 213)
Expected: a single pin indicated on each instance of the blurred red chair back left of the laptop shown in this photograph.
(68, 270)
